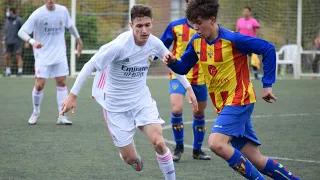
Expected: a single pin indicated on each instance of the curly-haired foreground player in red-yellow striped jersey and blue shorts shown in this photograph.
(227, 76)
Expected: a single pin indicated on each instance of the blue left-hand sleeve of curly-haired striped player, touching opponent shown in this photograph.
(188, 60)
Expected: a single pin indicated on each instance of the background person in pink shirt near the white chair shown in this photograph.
(249, 26)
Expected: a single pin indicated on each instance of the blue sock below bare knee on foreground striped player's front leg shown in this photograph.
(243, 166)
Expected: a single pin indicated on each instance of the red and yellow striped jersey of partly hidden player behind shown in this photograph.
(179, 33)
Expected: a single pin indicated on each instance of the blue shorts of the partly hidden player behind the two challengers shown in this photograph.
(200, 90)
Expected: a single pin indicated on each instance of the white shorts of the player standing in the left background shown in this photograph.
(55, 70)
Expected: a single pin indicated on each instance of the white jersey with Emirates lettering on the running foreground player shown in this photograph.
(123, 68)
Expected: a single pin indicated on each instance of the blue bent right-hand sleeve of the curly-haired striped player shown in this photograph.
(248, 44)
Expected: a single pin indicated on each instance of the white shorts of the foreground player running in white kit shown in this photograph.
(122, 125)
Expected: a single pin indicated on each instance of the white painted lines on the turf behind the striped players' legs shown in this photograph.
(257, 116)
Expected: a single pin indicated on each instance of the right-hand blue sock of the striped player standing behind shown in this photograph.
(199, 130)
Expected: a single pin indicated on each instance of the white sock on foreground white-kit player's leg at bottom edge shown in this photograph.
(166, 165)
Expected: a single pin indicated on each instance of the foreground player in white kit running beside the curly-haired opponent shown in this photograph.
(121, 90)
